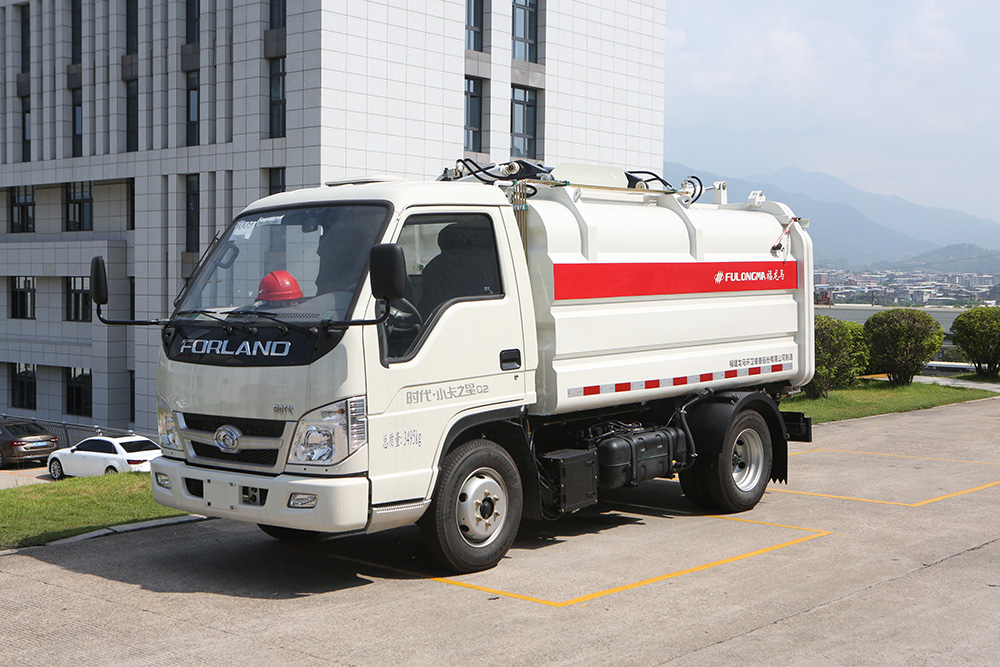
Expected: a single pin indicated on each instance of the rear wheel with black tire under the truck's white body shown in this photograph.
(737, 477)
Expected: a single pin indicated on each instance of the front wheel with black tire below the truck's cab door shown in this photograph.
(476, 510)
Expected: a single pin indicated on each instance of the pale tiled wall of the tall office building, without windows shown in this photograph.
(370, 87)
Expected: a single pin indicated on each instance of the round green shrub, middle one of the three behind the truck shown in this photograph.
(901, 341)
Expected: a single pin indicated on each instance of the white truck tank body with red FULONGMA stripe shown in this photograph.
(638, 296)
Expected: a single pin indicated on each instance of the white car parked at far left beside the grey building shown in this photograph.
(102, 455)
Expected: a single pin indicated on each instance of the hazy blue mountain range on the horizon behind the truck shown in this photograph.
(855, 229)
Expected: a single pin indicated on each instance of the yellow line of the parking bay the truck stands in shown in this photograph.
(592, 596)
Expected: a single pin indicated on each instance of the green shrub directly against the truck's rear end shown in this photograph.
(841, 355)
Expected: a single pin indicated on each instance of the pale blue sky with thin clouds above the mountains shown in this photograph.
(893, 96)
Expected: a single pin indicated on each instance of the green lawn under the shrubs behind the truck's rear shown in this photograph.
(873, 397)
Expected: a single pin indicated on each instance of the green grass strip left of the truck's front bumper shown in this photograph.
(40, 513)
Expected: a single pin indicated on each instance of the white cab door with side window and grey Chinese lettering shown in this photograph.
(454, 347)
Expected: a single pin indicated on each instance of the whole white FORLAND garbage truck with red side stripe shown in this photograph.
(508, 341)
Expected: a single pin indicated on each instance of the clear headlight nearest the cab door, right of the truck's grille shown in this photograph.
(330, 434)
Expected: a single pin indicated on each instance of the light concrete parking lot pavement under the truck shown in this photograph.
(882, 549)
